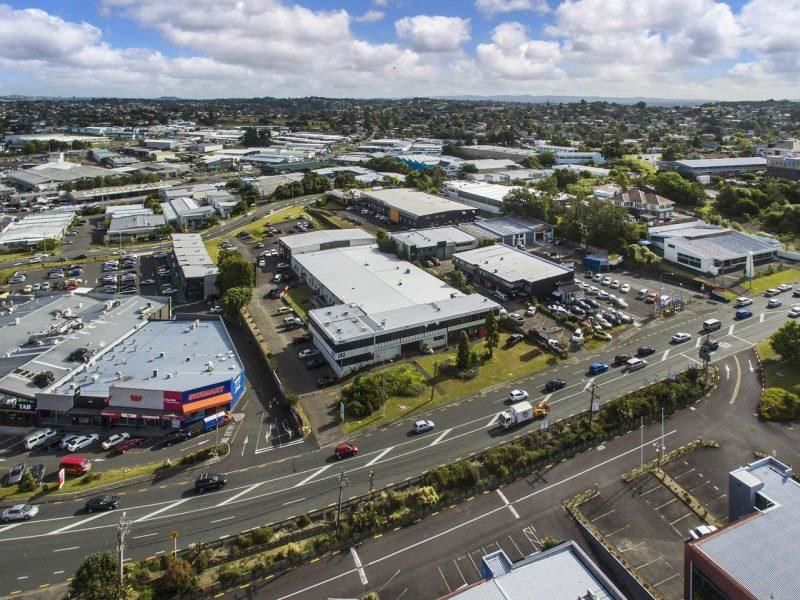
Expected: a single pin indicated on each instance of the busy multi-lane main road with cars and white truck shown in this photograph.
(282, 483)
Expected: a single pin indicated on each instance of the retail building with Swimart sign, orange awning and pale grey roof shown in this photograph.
(170, 372)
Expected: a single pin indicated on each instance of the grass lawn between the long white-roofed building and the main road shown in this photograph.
(507, 363)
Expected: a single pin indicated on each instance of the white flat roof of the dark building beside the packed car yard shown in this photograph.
(511, 264)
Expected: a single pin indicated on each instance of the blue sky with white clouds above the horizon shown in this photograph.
(698, 49)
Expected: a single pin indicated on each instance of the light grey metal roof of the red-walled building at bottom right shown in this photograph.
(760, 552)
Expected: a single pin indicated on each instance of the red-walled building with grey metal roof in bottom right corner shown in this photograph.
(755, 556)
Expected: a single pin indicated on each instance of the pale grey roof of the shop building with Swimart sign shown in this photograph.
(162, 346)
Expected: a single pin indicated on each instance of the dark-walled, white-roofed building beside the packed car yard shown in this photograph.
(513, 271)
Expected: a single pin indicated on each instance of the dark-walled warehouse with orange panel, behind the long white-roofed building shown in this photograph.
(412, 208)
